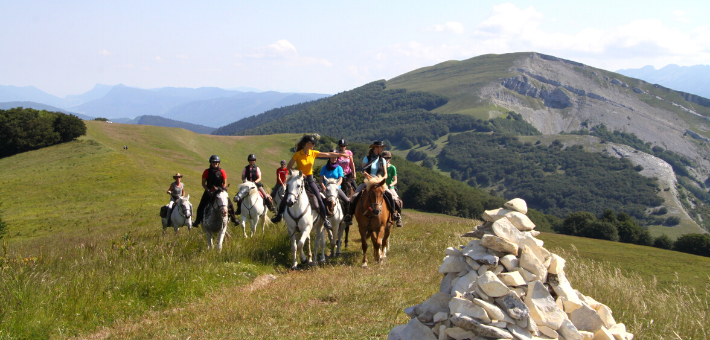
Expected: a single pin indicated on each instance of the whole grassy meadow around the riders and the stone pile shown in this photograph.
(85, 258)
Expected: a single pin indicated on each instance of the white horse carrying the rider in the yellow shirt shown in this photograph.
(299, 218)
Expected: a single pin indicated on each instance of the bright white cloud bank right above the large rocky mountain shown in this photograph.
(512, 29)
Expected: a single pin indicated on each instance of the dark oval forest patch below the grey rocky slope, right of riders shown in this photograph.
(552, 179)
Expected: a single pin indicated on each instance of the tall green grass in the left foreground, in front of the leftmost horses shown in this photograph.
(86, 285)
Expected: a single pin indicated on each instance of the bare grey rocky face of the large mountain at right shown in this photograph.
(557, 95)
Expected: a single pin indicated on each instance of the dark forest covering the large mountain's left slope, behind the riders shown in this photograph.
(371, 112)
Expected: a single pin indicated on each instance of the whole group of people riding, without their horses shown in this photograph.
(340, 166)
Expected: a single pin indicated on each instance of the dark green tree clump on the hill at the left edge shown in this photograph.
(28, 129)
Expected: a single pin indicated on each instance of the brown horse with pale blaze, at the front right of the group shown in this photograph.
(373, 218)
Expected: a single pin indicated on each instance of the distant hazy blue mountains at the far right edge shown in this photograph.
(693, 79)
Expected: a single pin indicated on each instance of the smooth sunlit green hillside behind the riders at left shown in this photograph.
(64, 189)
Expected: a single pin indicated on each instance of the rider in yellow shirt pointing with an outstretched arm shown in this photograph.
(304, 158)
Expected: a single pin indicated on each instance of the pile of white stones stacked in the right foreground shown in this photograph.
(505, 285)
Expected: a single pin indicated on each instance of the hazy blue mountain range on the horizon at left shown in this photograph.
(209, 106)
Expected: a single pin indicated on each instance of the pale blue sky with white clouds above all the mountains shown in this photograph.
(66, 47)
